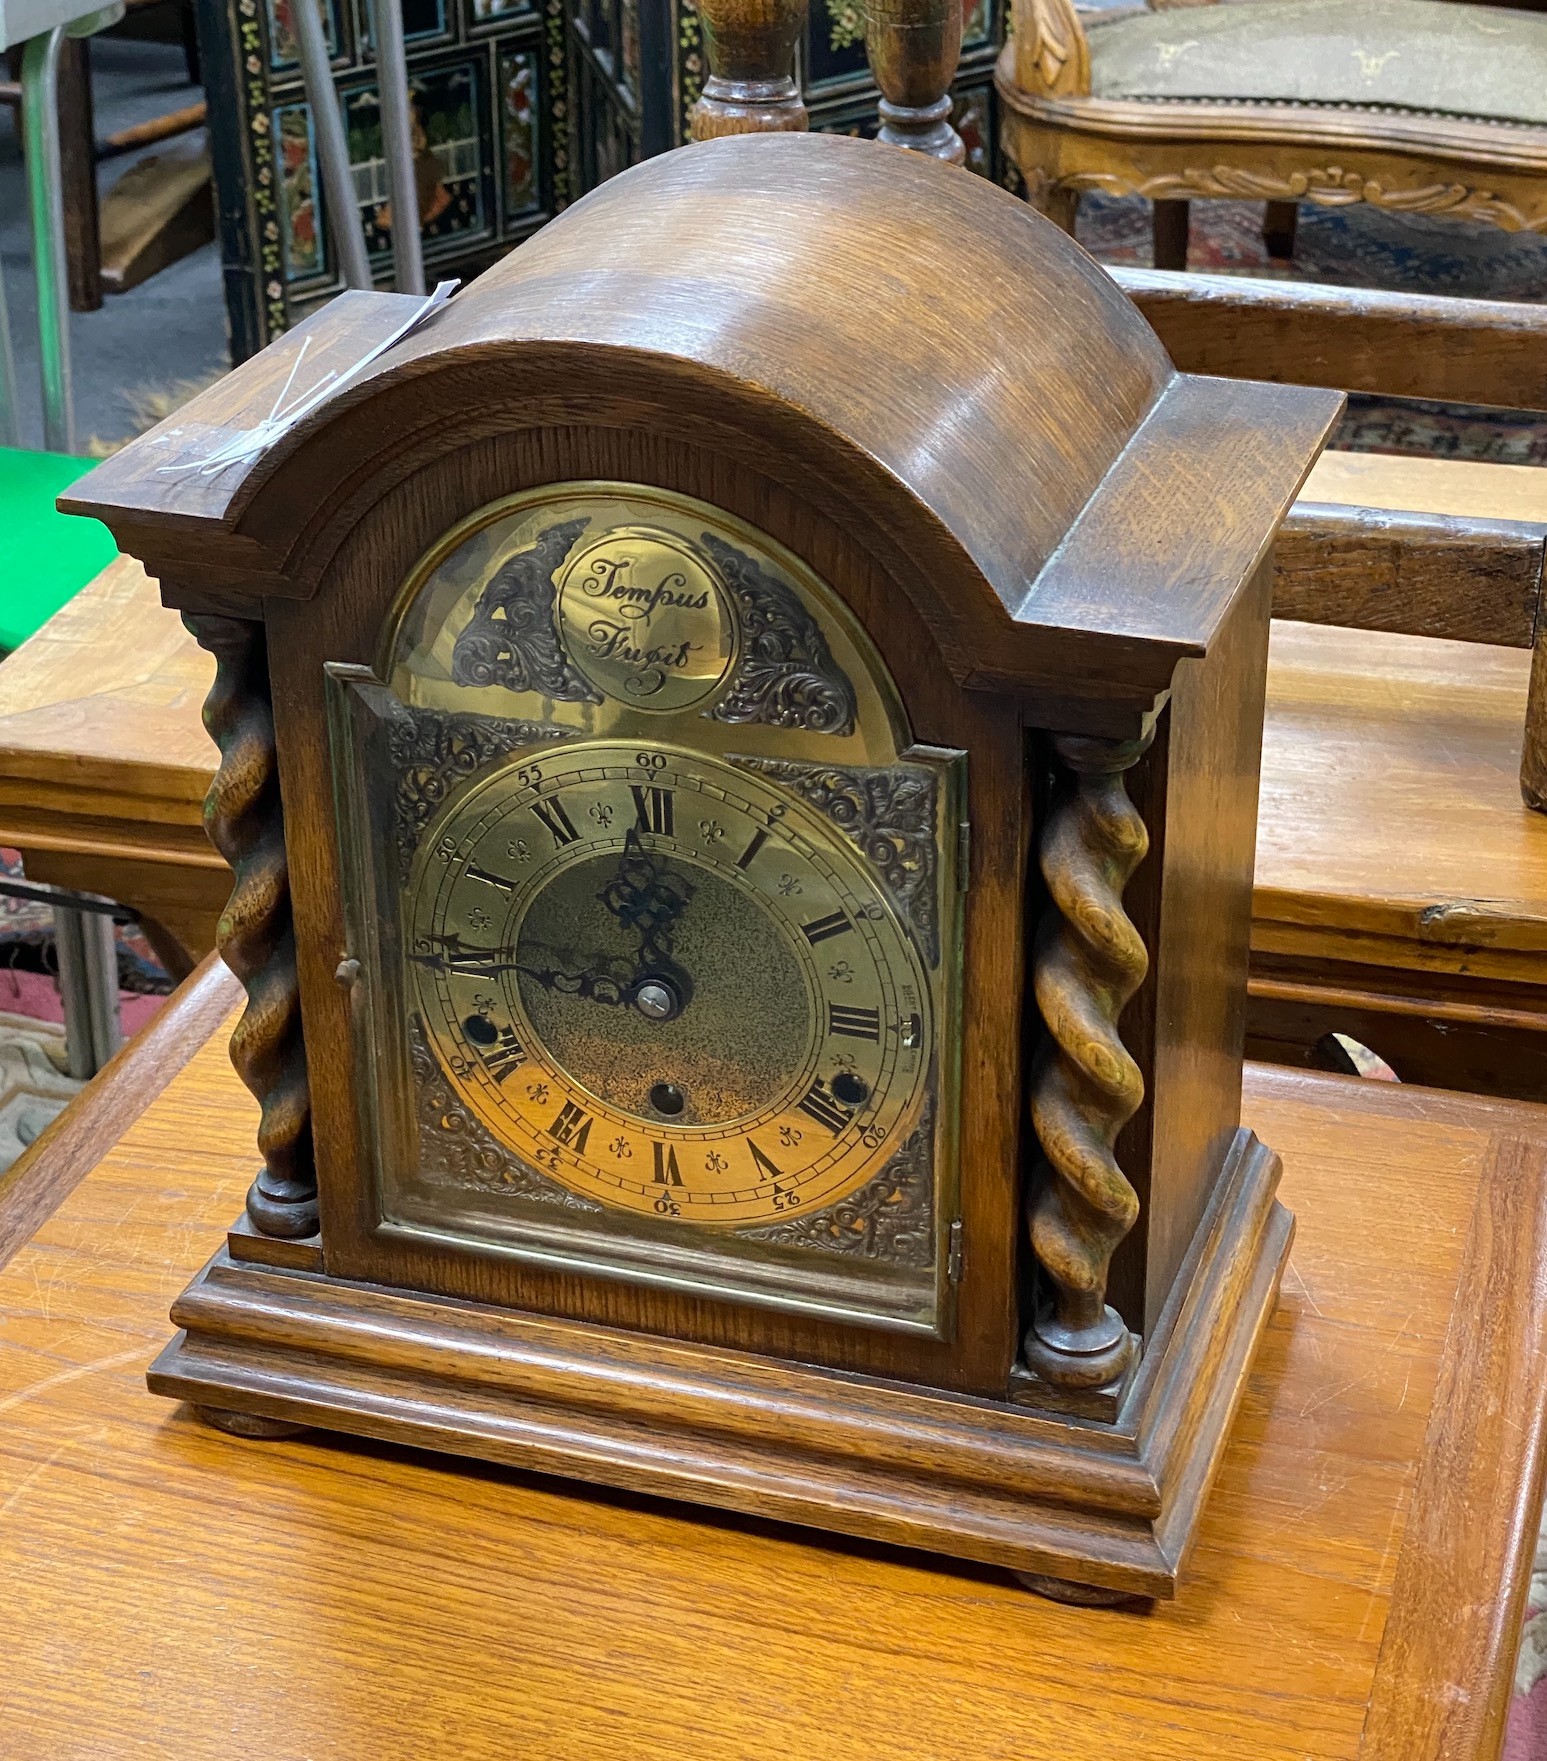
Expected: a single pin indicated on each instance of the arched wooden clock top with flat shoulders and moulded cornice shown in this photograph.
(901, 344)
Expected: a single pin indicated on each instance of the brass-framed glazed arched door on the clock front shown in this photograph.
(656, 917)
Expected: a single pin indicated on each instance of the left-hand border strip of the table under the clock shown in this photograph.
(70, 1149)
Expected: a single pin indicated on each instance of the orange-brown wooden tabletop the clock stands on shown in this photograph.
(177, 1593)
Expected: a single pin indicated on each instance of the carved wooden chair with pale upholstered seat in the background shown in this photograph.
(1410, 105)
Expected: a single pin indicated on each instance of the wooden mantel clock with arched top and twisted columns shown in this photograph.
(739, 756)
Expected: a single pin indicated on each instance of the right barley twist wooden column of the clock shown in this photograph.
(1090, 962)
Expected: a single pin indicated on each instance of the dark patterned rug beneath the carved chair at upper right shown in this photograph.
(1366, 247)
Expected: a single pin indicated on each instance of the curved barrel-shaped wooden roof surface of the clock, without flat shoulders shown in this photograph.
(954, 334)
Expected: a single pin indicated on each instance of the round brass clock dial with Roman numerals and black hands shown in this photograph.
(669, 984)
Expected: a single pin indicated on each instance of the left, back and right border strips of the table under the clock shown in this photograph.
(1446, 1663)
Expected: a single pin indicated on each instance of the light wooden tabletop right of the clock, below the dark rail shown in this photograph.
(1391, 827)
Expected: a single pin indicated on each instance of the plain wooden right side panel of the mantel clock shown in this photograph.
(1201, 952)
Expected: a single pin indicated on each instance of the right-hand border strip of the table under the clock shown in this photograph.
(1477, 1505)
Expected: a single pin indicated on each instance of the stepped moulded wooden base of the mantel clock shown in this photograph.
(1044, 1494)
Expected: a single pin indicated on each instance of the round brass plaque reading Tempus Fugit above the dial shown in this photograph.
(646, 619)
